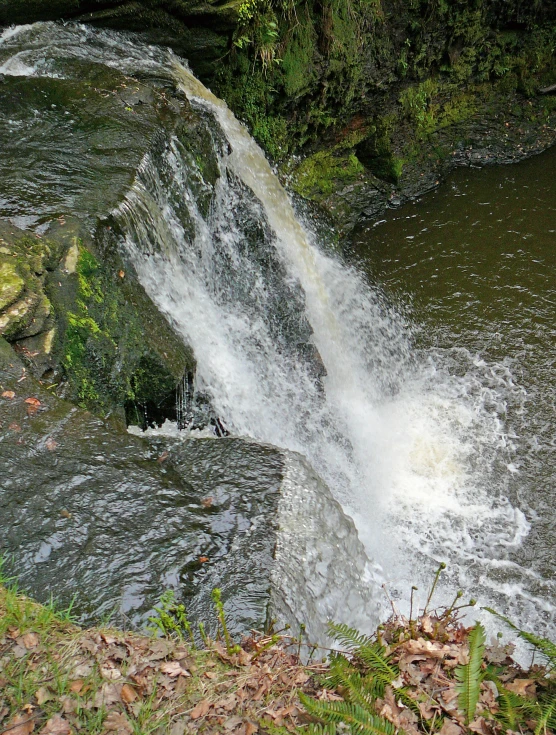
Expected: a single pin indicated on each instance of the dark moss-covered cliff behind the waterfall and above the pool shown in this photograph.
(383, 96)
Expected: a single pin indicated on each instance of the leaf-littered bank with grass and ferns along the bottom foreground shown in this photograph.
(427, 675)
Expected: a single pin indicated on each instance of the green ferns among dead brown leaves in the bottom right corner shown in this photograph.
(432, 674)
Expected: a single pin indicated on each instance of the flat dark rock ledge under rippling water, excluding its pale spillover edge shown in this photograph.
(91, 510)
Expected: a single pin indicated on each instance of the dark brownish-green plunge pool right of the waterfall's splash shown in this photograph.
(472, 266)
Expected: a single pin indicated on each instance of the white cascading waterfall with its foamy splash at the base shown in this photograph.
(294, 348)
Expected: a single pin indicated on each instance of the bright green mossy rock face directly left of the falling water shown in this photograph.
(104, 348)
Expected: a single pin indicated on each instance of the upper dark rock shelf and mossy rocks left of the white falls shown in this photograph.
(73, 132)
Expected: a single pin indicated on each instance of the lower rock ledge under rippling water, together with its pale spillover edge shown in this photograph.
(90, 511)
